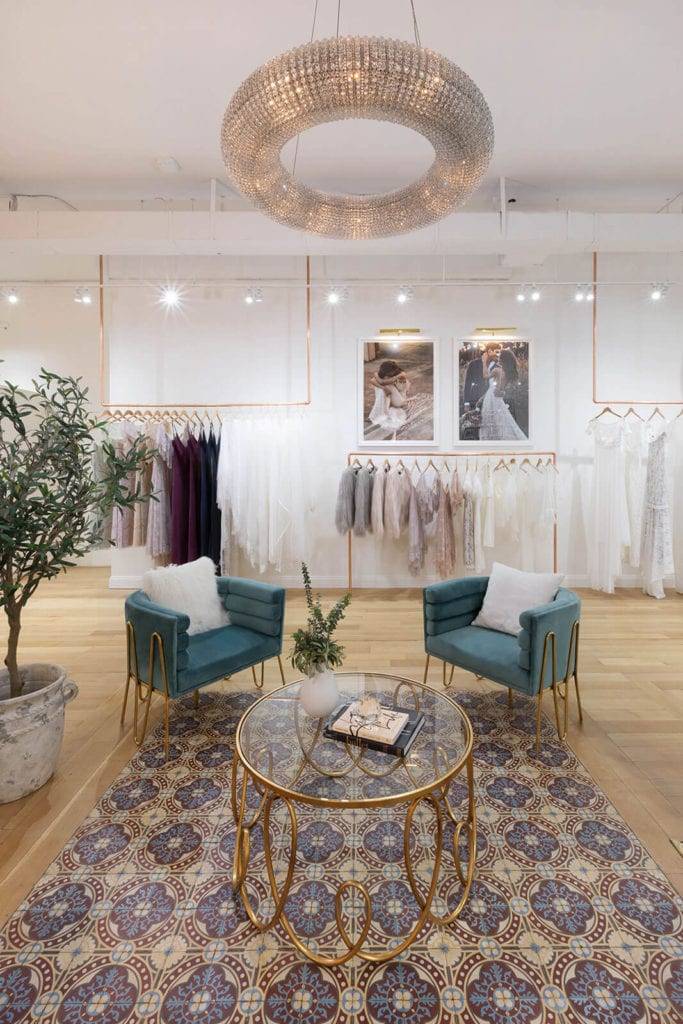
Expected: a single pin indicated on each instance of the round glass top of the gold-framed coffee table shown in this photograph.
(286, 750)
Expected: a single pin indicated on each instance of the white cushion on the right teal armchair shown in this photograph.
(510, 592)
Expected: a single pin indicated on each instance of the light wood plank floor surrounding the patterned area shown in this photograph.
(632, 686)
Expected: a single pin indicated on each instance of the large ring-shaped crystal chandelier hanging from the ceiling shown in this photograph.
(358, 77)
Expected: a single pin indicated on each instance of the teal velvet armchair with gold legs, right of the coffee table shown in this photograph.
(527, 664)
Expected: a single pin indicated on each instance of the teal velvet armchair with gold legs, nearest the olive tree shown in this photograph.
(164, 658)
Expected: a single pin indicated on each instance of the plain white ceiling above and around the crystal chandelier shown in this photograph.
(586, 95)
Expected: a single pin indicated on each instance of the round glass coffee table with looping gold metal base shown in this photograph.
(284, 765)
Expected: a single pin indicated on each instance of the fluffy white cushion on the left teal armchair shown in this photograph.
(190, 589)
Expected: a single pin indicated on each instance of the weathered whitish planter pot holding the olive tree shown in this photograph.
(32, 728)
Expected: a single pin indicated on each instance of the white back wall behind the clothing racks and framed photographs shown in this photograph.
(219, 351)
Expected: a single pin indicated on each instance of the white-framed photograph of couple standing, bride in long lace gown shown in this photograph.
(494, 392)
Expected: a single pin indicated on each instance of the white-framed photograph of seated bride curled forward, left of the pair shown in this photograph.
(398, 385)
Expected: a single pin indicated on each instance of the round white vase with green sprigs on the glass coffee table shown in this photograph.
(316, 655)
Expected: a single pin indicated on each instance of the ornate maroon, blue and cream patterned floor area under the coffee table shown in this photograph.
(569, 919)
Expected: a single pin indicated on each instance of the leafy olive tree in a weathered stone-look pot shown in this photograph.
(60, 478)
